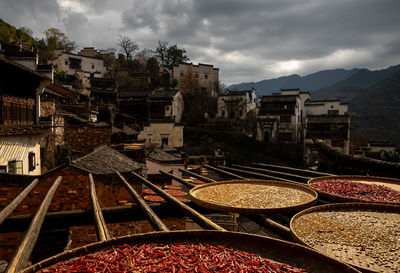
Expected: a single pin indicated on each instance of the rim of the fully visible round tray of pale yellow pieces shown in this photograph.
(214, 206)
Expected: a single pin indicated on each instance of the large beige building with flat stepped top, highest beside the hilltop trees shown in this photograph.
(206, 74)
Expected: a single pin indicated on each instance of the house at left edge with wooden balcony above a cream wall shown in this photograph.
(20, 134)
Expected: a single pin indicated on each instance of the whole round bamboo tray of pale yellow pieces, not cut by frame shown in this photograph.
(254, 196)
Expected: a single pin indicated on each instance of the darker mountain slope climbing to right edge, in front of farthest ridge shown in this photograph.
(349, 88)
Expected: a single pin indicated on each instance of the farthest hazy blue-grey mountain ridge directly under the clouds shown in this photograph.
(311, 82)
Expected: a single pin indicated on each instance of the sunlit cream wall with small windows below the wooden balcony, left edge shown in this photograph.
(18, 147)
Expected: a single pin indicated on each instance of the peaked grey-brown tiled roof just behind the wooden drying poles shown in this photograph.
(105, 160)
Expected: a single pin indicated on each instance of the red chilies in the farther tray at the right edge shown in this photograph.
(362, 191)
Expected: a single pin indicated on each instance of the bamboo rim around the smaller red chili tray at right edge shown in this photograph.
(337, 198)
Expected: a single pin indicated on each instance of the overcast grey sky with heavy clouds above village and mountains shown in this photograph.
(248, 40)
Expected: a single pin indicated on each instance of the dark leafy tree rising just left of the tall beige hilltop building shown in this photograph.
(170, 55)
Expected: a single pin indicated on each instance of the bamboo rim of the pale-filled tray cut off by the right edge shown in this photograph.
(365, 206)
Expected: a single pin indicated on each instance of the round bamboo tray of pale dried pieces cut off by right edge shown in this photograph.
(364, 235)
